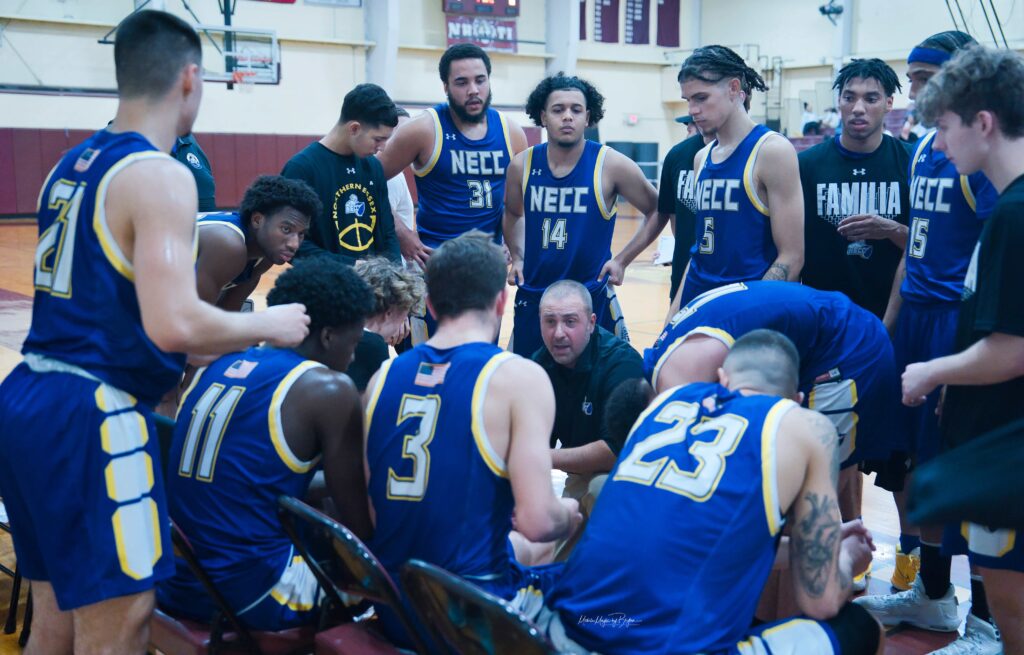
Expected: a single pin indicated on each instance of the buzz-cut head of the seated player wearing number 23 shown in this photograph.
(762, 362)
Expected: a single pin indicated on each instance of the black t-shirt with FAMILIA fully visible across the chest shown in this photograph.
(839, 184)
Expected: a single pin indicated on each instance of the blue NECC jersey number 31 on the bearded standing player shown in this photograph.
(462, 188)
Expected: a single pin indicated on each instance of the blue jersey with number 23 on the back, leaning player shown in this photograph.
(695, 498)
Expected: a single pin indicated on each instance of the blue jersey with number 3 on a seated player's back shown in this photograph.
(440, 492)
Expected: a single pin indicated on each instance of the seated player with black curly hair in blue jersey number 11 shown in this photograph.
(258, 425)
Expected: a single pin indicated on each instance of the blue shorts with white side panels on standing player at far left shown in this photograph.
(81, 481)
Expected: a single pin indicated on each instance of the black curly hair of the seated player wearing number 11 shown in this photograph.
(334, 294)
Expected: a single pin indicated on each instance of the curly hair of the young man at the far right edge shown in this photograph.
(978, 79)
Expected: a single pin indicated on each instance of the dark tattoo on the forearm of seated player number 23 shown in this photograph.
(816, 540)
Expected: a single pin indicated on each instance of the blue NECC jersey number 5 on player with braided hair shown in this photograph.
(734, 231)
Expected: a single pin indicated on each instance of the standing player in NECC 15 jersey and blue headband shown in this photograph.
(948, 214)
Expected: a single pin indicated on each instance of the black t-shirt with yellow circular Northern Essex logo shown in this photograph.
(357, 222)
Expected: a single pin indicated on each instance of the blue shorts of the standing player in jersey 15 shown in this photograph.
(924, 333)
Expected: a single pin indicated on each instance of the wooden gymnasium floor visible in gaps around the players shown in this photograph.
(645, 302)
